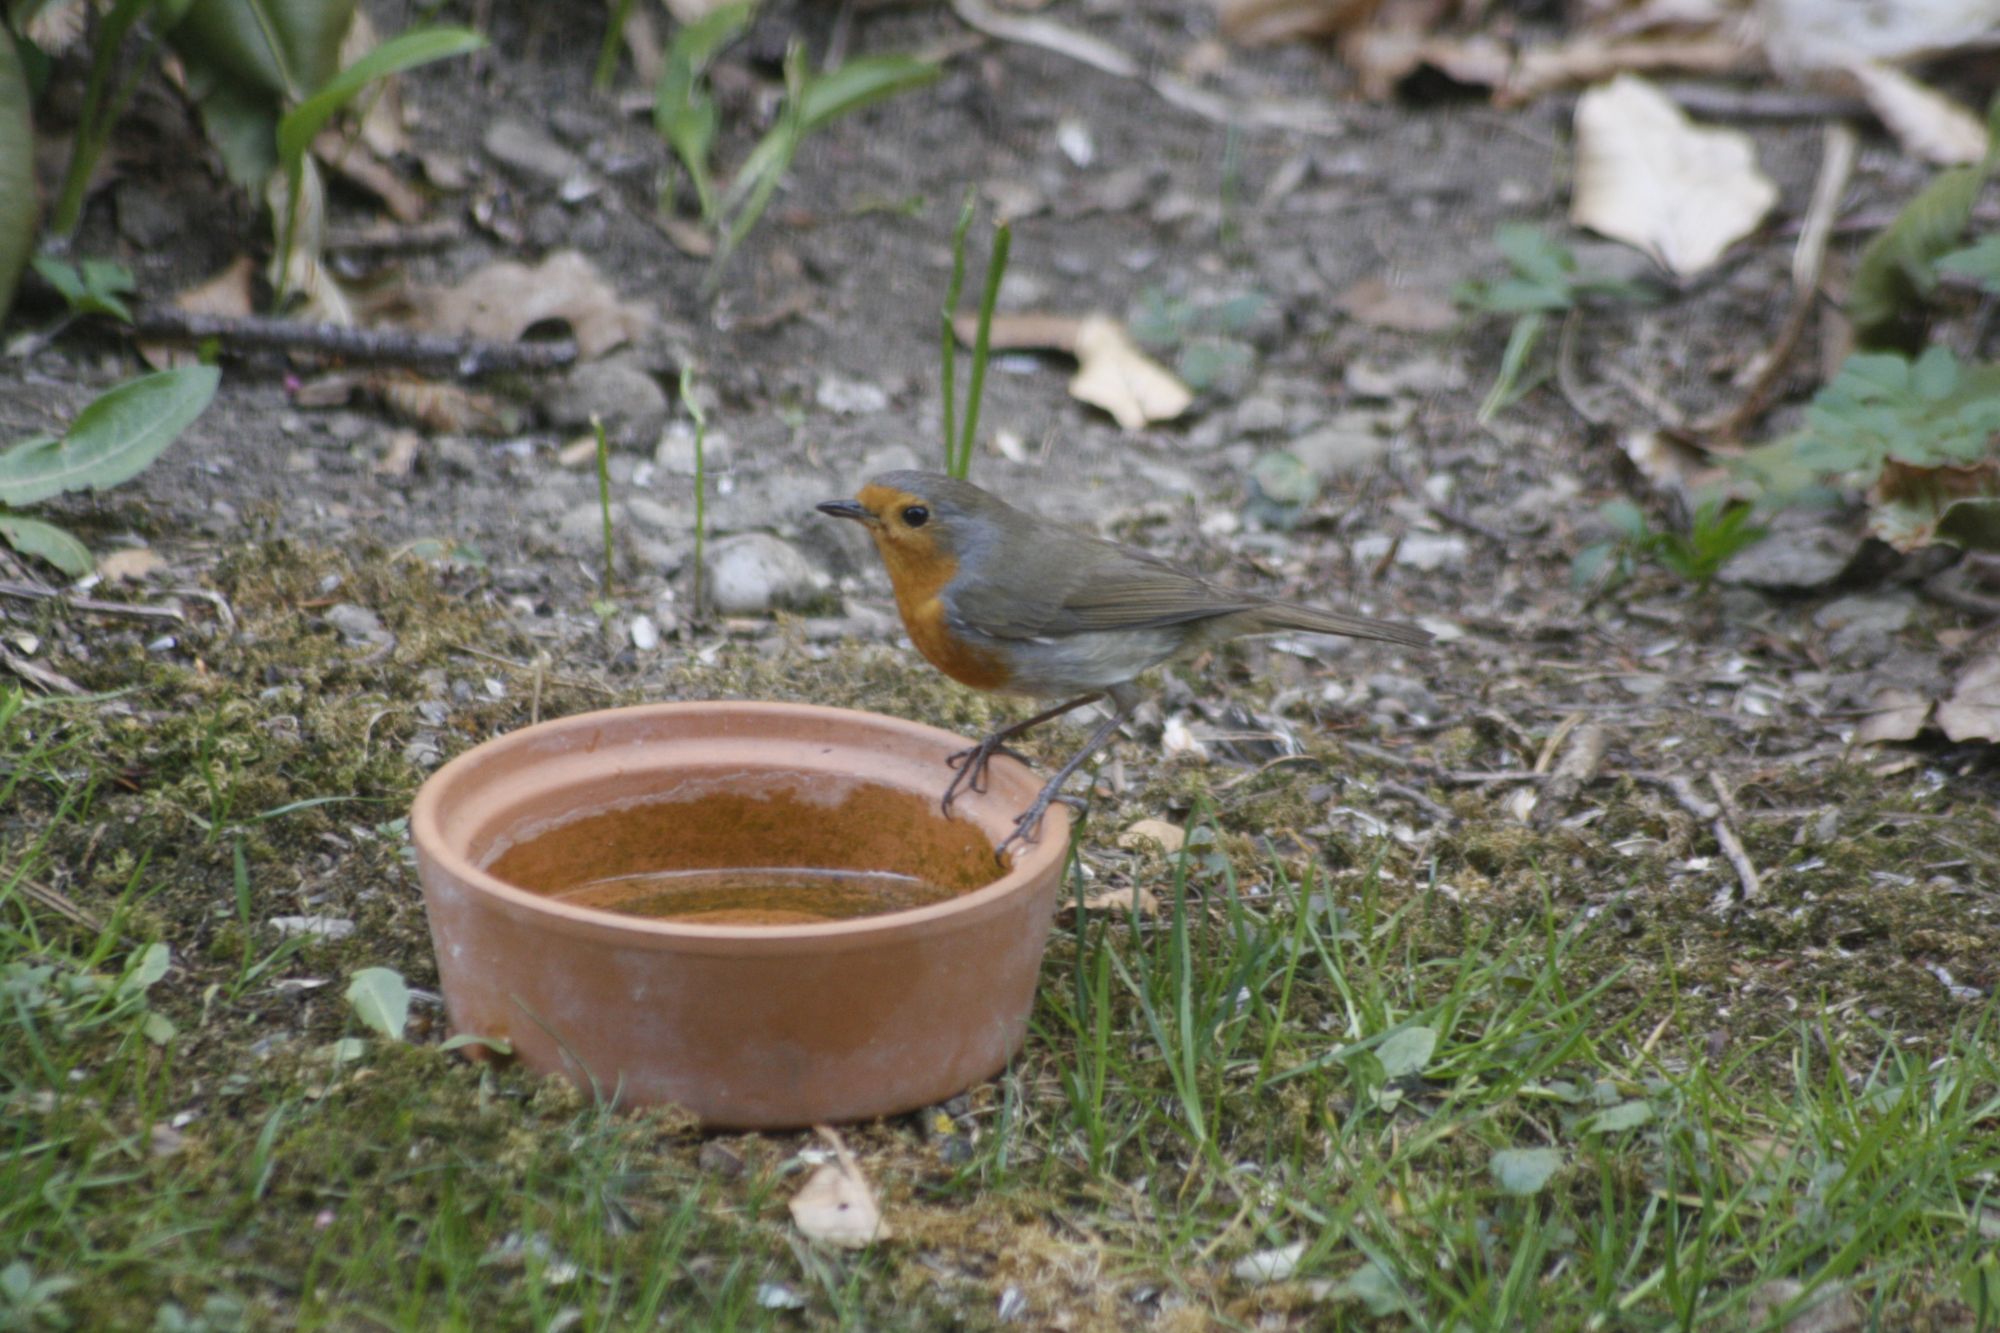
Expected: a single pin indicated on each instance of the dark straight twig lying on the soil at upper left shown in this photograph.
(467, 357)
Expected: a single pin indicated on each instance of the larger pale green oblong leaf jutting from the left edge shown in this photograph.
(113, 439)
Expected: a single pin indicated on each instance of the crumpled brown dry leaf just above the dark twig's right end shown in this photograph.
(507, 299)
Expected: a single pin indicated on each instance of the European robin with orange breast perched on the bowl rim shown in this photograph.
(1011, 603)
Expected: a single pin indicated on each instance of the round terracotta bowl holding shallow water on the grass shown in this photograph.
(685, 904)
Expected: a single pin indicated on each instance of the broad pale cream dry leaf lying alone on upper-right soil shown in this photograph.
(1653, 179)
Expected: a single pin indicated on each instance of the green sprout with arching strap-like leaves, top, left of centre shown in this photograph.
(685, 115)
